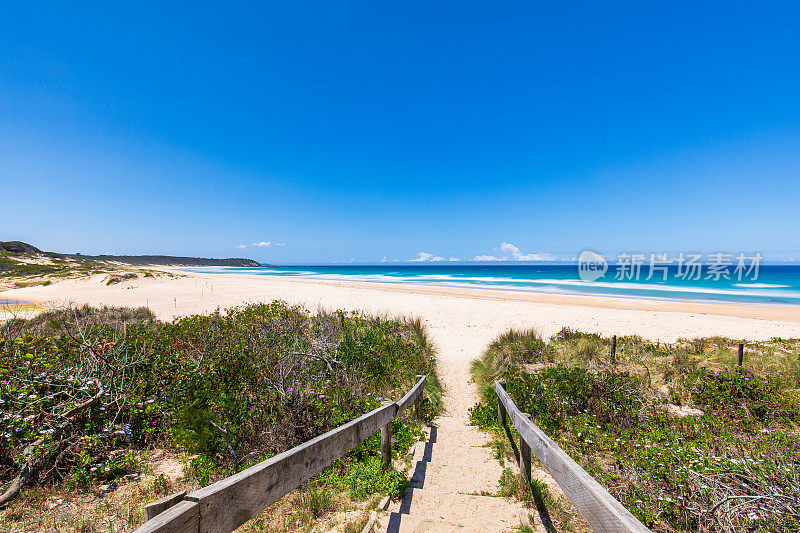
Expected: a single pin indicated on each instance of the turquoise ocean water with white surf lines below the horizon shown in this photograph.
(775, 284)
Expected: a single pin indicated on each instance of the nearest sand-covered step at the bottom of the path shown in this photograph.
(462, 508)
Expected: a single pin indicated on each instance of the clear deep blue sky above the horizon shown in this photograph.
(364, 130)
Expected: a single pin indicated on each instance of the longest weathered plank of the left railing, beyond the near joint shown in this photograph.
(229, 503)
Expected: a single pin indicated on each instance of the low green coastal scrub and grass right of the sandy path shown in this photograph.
(677, 432)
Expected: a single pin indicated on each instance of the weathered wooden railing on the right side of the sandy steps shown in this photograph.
(601, 511)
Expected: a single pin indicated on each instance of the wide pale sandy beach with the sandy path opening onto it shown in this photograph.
(461, 321)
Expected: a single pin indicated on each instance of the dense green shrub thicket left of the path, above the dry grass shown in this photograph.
(264, 376)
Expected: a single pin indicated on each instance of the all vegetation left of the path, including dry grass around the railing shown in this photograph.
(89, 397)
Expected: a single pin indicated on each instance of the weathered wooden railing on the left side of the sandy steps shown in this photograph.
(227, 504)
